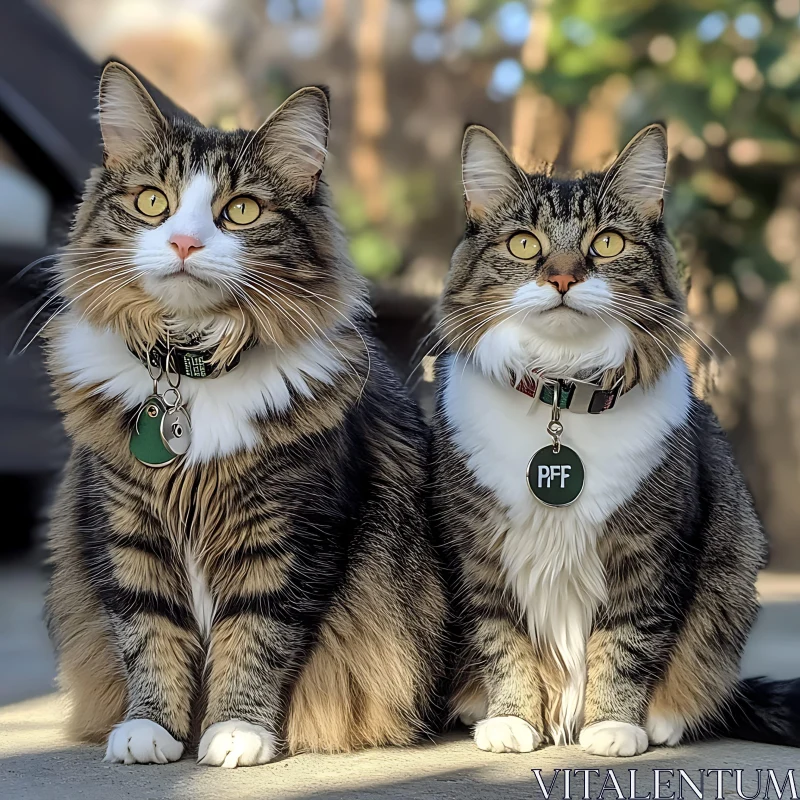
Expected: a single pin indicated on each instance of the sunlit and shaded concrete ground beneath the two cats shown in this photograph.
(37, 763)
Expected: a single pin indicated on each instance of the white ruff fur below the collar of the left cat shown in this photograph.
(222, 409)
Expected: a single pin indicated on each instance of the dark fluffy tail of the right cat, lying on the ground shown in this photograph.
(760, 710)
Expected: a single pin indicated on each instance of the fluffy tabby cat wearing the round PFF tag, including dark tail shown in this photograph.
(618, 620)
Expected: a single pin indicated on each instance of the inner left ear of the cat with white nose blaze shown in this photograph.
(129, 118)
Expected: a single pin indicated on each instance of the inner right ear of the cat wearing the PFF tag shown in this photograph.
(640, 171)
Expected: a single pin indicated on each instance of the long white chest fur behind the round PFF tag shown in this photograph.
(549, 554)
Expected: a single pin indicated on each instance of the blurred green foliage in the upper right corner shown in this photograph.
(728, 71)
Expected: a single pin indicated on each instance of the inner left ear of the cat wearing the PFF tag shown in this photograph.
(488, 172)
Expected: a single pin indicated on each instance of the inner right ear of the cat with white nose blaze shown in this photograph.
(294, 140)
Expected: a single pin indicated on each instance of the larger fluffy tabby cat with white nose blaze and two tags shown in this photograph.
(277, 584)
